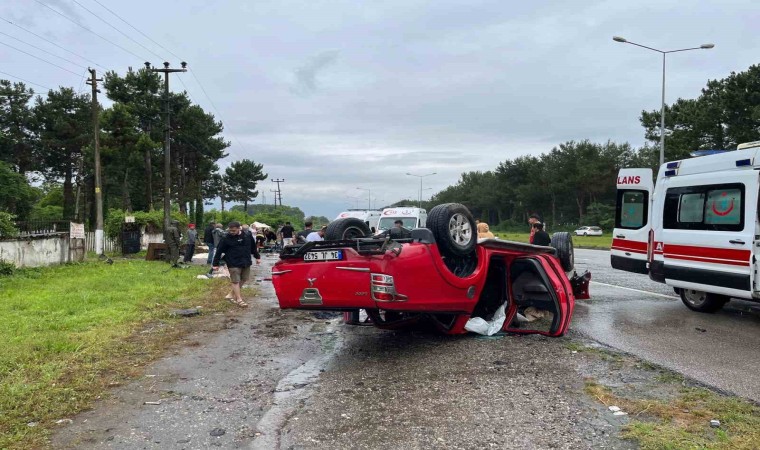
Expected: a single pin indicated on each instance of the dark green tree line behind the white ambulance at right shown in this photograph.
(574, 183)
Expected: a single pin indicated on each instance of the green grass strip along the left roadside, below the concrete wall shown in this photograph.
(69, 332)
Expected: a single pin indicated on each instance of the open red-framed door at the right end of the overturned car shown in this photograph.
(540, 296)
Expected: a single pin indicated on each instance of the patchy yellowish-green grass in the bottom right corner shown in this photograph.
(683, 422)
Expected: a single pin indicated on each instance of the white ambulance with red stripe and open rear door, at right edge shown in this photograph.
(696, 229)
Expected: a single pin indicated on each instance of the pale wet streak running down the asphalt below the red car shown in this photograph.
(294, 388)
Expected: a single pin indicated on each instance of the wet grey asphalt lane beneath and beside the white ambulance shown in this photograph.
(631, 313)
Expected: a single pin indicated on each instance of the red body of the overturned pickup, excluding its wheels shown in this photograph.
(411, 281)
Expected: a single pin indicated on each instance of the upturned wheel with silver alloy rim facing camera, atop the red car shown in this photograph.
(454, 229)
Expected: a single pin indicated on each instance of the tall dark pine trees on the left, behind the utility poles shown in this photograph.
(47, 162)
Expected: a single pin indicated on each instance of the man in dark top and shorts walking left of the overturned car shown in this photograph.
(237, 248)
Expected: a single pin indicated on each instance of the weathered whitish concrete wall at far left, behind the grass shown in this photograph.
(36, 251)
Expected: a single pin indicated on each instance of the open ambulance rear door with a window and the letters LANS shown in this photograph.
(633, 220)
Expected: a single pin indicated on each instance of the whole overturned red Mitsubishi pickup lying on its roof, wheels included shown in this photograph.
(442, 274)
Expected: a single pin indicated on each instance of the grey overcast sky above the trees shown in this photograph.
(335, 95)
